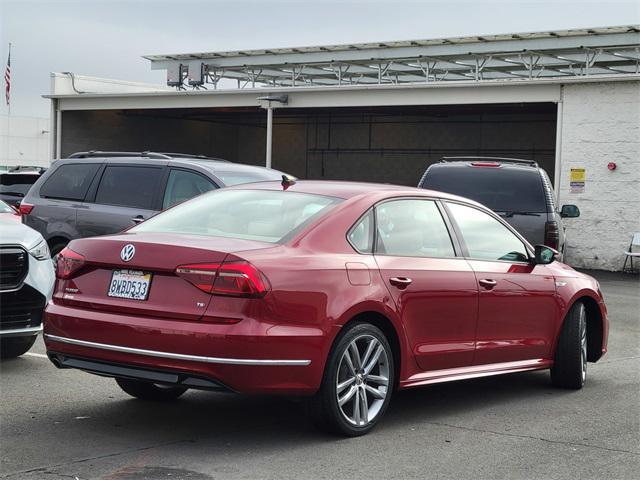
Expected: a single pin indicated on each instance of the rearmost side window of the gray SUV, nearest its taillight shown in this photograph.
(69, 182)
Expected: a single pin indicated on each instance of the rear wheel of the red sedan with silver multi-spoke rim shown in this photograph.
(356, 388)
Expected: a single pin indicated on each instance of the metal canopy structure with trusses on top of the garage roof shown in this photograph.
(610, 51)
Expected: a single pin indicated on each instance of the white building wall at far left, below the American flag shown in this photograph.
(24, 141)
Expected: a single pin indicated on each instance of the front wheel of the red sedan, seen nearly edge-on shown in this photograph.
(569, 368)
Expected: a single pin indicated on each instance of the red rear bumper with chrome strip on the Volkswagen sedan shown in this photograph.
(248, 357)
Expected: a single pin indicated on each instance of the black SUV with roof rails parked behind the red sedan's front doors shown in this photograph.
(517, 190)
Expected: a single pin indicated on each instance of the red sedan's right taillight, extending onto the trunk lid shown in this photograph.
(234, 278)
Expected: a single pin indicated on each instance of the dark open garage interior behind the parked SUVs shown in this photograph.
(390, 144)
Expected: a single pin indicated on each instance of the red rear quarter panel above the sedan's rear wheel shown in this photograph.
(313, 295)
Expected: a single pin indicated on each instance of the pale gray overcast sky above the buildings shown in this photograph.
(107, 38)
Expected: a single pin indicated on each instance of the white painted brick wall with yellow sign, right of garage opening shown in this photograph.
(601, 124)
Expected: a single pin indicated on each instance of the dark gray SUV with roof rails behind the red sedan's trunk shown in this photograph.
(98, 193)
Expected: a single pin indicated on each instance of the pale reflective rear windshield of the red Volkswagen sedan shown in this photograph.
(261, 215)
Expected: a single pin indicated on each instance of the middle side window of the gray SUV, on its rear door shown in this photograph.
(129, 186)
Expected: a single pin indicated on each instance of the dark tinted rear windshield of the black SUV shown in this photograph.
(502, 190)
